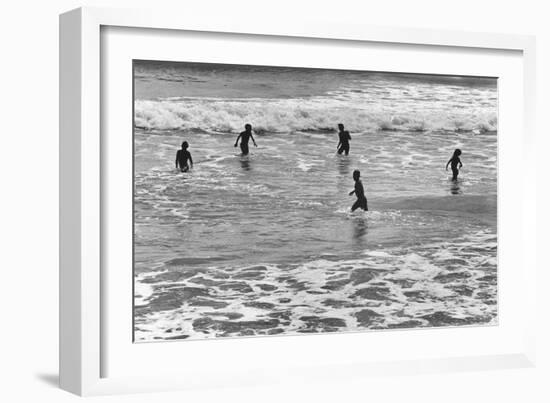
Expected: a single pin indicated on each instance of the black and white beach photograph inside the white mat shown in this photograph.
(273, 200)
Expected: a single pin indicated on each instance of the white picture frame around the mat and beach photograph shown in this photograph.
(83, 307)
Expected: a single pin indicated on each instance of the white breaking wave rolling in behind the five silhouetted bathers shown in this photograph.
(305, 114)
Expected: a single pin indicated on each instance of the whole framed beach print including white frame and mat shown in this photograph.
(238, 201)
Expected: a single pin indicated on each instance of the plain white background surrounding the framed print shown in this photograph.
(29, 214)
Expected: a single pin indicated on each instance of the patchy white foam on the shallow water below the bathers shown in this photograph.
(321, 295)
